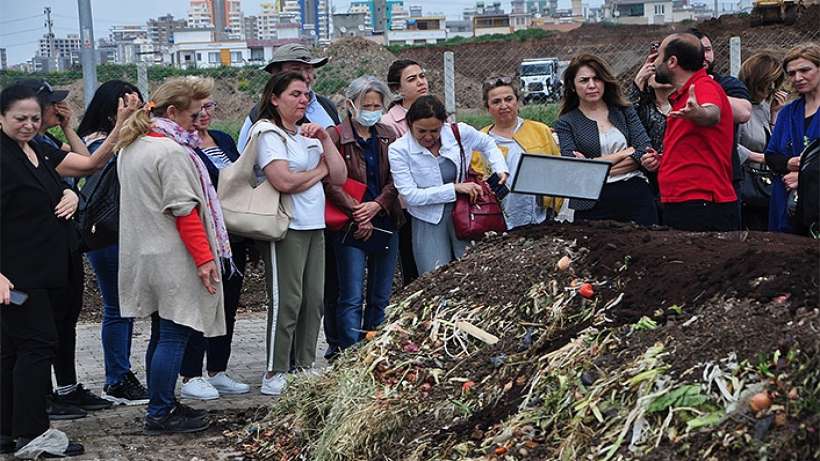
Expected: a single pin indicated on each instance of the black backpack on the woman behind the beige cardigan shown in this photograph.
(100, 216)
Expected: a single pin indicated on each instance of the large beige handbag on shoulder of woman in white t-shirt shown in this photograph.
(253, 208)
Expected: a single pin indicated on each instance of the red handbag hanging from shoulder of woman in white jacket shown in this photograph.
(473, 220)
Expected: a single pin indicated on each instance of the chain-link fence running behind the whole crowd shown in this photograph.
(624, 48)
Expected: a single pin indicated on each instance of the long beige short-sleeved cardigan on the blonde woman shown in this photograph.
(158, 182)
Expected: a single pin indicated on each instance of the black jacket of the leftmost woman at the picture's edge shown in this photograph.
(34, 243)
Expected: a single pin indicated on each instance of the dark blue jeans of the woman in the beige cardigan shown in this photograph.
(163, 360)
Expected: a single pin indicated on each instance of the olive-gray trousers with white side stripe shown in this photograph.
(295, 276)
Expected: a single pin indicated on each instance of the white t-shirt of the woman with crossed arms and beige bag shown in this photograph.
(302, 154)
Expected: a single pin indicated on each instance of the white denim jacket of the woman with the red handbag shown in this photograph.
(417, 176)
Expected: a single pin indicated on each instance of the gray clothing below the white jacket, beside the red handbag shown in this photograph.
(435, 245)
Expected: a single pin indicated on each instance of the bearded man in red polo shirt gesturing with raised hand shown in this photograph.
(695, 176)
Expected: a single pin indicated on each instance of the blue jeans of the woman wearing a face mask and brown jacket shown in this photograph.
(351, 263)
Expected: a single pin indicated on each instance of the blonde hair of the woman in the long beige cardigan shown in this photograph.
(179, 92)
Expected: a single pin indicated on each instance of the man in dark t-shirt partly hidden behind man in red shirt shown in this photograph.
(739, 98)
